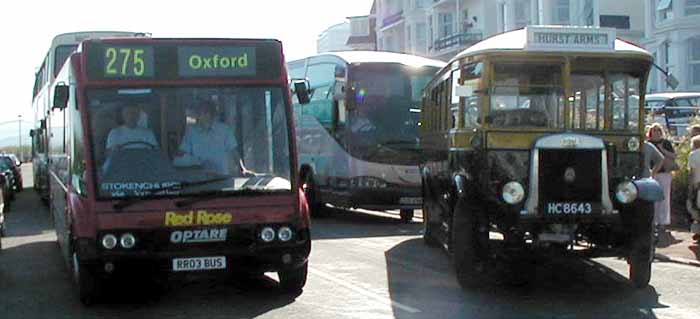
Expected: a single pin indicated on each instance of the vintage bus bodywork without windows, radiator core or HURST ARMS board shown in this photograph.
(469, 165)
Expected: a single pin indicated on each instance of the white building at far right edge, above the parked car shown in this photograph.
(673, 36)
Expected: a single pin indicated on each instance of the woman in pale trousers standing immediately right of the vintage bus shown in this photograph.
(662, 209)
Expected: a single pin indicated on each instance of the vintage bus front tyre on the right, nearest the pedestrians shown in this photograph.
(642, 247)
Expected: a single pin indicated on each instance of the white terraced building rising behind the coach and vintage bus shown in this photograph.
(453, 25)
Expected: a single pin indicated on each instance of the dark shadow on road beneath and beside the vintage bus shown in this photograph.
(570, 288)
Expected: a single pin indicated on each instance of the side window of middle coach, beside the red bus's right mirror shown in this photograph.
(321, 79)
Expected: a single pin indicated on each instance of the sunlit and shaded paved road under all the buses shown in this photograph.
(362, 266)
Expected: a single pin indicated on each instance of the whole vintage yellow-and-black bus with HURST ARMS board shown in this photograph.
(536, 134)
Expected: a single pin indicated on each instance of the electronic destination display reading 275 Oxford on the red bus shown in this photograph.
(168, 61)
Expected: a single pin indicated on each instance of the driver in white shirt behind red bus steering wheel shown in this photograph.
(130, 134)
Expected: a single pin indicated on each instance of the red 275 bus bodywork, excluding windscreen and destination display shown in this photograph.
(82, 217)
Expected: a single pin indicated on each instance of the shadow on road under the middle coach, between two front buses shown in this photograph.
(343, 223)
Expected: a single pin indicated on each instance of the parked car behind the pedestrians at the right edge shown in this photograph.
(673, 110)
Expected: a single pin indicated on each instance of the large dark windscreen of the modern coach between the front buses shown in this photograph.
(386, 112)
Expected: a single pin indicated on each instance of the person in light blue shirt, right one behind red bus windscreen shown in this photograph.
(209, 143)
